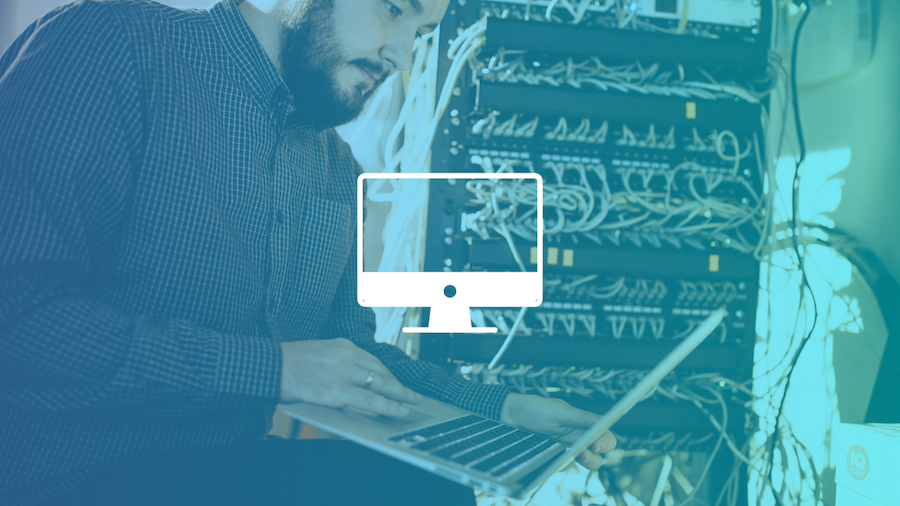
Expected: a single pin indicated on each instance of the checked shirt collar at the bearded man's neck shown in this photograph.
(262, 78)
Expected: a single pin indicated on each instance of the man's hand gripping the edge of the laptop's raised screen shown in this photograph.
(555, 417)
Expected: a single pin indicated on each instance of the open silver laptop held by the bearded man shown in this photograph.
(476, 451)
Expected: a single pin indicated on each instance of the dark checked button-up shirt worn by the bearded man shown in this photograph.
(162, 230)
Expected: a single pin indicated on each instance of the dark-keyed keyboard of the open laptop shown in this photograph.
(479, 444)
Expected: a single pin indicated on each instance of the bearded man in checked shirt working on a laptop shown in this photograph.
(176, 256)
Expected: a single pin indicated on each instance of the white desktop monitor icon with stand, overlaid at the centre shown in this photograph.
(496, 220)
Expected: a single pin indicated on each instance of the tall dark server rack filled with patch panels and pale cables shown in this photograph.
(616, 299)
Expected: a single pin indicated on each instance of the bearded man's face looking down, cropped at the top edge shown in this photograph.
(335, 53)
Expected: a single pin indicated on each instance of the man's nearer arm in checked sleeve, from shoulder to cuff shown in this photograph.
(72, 129)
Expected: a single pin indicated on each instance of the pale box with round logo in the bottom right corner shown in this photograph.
(868, 464)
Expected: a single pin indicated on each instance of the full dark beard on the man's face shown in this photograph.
(310, 59)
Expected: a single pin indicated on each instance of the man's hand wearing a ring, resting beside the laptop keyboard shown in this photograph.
(334, 373)
